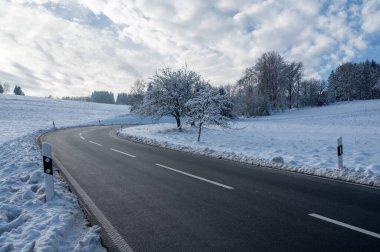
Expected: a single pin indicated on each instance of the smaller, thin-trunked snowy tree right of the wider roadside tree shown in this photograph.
(206, 108)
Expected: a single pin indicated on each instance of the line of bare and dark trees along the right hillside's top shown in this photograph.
(274, 83)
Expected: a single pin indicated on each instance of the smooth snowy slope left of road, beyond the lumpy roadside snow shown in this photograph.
(22, 115)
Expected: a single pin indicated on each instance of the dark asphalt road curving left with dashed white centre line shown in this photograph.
(163, 200)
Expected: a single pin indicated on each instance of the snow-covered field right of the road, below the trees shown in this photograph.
(306, 140)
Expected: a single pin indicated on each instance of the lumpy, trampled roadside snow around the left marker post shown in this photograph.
(27, 221)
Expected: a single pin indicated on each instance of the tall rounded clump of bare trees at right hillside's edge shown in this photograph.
(271, 84)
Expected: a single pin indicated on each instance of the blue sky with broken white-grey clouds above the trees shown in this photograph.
(71, 48)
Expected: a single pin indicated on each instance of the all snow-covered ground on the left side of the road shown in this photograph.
(27, 222)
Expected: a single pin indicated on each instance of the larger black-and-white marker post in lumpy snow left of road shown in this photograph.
(48, 170)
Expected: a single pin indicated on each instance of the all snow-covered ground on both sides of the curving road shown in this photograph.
(304, 139)
